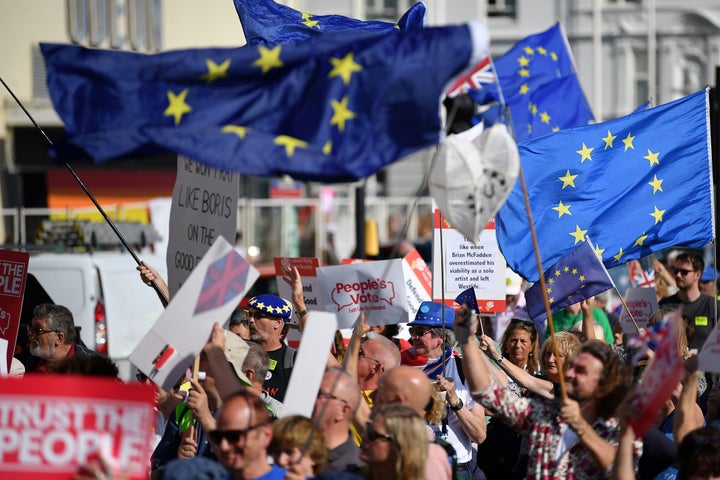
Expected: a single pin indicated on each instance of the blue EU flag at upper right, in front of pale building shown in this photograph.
(539, 84)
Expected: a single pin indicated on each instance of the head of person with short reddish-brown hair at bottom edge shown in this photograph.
(297, 447)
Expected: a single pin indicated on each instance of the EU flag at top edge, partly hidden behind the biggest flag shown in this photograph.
(266, 22)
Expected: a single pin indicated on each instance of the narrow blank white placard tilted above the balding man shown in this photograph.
(310, 363)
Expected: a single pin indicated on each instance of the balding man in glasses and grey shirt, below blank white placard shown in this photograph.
(337, 401)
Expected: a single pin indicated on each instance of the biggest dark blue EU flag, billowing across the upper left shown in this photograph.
(330, 109)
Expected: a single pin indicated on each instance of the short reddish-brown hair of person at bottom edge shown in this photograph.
(293, 432)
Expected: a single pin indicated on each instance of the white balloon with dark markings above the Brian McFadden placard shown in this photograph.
(472, 176)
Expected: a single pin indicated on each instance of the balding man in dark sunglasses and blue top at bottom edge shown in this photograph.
(242, 438)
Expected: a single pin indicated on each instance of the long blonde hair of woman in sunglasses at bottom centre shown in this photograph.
(409, 439)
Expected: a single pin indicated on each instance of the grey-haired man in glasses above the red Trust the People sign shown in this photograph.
(52, 338)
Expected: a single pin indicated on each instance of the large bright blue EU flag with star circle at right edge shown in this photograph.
(634, 185)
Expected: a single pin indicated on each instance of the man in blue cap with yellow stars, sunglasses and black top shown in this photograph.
(268, 316)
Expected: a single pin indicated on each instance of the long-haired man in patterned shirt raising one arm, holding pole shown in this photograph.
(575, 437)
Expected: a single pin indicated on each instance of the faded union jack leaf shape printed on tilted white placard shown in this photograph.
(225, 279)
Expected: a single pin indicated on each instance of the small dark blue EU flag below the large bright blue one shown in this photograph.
(577, 276)
